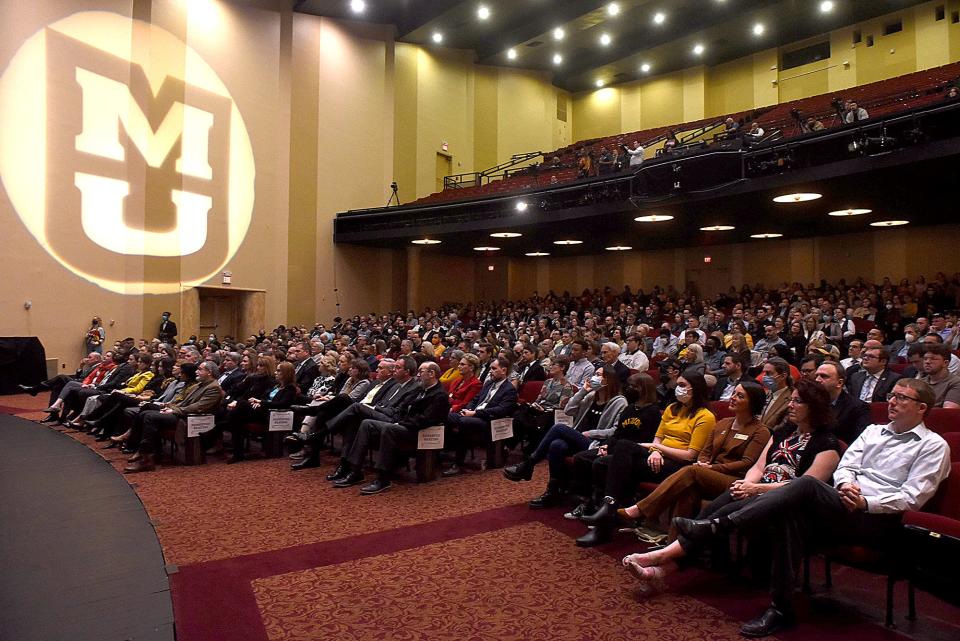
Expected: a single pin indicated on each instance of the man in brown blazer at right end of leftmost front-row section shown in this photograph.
(204, 398)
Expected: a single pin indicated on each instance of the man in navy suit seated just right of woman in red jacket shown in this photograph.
(497, 399)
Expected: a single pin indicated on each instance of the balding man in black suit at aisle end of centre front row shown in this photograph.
(428, 408)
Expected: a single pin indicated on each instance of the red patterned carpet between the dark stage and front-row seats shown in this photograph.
(266, 554)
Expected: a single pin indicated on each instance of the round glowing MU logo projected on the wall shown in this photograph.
(124, 154)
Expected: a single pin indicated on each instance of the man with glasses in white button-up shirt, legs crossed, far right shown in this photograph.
(888, 470)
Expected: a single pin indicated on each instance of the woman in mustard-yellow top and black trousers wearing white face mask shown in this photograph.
(684, 430)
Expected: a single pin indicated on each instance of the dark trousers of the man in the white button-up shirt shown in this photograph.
(794, 518)
